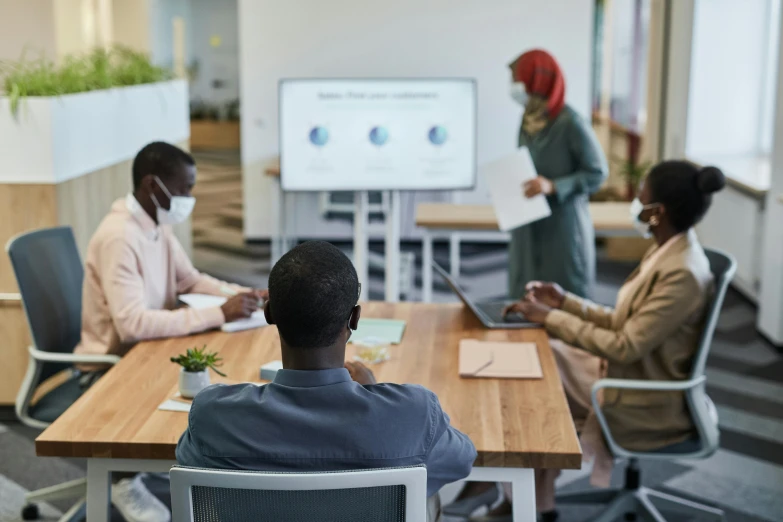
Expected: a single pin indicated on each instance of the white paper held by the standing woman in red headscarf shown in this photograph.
(506, 177)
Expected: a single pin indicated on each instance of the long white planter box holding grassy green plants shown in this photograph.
(60, 138)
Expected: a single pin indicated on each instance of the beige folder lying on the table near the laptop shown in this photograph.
(499, 360)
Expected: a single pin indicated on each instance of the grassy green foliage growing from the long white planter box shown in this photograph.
(99, 69)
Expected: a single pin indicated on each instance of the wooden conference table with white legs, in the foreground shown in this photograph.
(516, 425)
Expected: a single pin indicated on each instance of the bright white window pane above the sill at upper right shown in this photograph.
(728, 77)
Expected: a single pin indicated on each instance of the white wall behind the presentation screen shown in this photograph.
(474, 38)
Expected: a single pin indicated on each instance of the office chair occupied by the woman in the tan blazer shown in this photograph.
(632, 498)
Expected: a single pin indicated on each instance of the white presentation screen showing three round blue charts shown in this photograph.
(377, 134)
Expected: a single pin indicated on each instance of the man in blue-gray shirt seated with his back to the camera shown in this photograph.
(321, 413)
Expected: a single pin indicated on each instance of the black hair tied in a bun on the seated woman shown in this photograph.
(685, 190)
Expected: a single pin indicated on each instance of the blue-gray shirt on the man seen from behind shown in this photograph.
(323, 421)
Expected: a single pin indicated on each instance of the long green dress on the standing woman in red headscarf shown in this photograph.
(560, 248)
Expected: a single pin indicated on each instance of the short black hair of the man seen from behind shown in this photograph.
(312, 290)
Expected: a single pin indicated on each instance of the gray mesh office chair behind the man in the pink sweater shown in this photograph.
(49, 274)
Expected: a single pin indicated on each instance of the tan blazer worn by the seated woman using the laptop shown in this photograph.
(651, 335)
